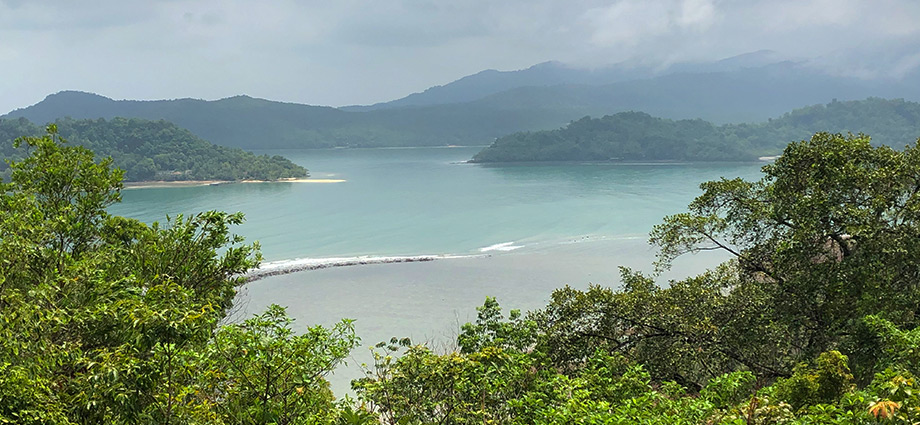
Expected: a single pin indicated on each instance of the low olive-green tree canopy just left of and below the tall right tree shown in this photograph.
(690, 332)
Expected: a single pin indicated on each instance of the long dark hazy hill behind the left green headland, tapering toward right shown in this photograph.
(251, 123)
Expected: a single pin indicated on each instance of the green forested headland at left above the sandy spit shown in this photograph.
(153, 150)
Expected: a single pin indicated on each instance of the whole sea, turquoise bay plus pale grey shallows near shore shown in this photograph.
(412, 240)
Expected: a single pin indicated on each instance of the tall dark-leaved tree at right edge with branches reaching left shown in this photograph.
(830, 234)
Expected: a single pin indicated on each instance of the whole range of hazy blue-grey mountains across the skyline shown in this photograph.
(476, 109)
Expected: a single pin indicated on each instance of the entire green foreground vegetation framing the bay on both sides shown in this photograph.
(104, 319)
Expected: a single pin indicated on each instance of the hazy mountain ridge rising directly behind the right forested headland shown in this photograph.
(744, 95)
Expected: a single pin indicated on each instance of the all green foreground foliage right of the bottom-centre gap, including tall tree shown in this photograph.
(813, 320)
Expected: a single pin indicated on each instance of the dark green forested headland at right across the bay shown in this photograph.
(639, 136)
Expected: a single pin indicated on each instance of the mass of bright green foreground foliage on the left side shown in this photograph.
(107, 320)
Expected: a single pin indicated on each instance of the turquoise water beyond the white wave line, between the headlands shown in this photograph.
(427, 201)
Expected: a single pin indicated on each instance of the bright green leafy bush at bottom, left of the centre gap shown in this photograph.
(260, 372)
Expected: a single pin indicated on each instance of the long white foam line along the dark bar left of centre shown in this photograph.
(275, 268)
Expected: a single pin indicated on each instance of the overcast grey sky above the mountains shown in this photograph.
(347, 52)
